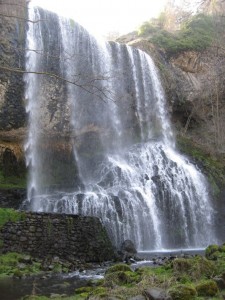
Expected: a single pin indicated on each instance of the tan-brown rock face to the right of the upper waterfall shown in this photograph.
(194, 85)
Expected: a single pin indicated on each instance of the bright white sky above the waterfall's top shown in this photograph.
(104, 16)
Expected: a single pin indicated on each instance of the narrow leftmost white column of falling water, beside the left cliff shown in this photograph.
(33, 103)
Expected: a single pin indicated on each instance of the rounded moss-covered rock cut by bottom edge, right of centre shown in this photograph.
(184, 292)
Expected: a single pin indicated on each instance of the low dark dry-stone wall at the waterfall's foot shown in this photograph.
(69, 237)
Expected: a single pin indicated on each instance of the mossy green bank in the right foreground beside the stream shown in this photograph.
(181, 278)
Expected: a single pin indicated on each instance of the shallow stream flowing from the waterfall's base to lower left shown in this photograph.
(15, 289)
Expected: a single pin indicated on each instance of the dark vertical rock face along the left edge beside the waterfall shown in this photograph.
(12, 103)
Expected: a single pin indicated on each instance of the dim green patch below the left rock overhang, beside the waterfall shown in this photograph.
(9, 182)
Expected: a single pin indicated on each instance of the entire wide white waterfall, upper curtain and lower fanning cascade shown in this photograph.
(100, 141)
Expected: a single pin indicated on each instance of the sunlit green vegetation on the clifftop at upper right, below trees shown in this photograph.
(195, 34)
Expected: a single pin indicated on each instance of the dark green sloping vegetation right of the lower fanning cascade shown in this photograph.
(213, 167)
